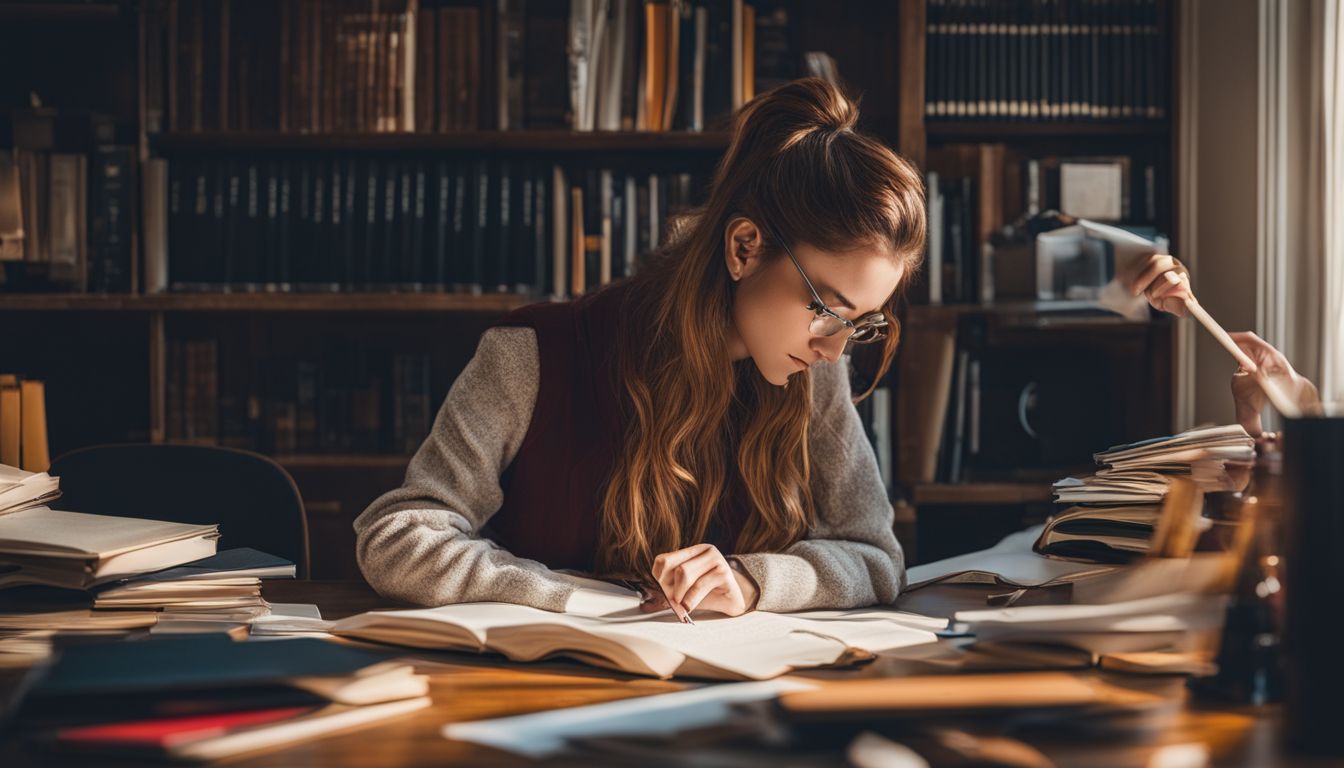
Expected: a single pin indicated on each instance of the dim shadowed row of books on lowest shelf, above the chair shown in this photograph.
(337, 404)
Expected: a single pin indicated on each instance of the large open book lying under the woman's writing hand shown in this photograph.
(607, 629)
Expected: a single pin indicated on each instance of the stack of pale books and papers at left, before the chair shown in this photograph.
(71, 574)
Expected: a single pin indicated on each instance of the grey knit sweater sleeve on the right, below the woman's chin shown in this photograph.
(851, 556)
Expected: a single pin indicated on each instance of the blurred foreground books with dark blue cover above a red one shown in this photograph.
(206, 697)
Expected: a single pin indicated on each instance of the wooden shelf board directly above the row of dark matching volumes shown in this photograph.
(549, 142)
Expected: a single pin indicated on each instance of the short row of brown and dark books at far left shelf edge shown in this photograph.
(68, 220)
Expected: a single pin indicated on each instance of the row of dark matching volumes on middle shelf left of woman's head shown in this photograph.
(365, 223)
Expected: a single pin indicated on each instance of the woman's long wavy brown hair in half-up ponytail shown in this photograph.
(796, 163)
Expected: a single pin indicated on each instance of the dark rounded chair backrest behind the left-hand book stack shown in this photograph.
(252, 498)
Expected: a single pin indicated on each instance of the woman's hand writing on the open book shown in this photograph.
(701, 578)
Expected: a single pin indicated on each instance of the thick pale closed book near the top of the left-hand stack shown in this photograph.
(79, 551)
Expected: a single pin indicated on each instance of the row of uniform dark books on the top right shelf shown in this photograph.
(1046, 60)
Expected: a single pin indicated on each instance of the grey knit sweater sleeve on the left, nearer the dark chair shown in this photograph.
(421, 543)
